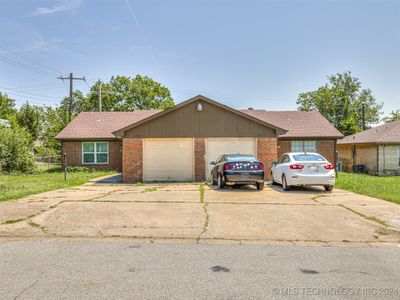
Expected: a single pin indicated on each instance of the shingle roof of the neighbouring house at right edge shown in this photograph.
(383, 134)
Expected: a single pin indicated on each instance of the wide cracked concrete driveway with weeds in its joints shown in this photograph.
(197, 213)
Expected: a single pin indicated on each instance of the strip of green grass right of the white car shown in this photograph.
(386, 188)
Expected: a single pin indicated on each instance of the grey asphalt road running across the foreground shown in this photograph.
(127, 270)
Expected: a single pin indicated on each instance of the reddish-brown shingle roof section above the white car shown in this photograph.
(300, 124)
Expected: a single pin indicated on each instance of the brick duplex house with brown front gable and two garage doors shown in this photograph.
(179, 143)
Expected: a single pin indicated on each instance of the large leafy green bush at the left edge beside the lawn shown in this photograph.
(16, 151)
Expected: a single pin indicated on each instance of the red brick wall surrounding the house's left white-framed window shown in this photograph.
(73, 149)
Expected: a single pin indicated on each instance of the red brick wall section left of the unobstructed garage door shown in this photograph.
(132, 157)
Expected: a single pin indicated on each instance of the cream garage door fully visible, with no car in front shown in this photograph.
(168, 160)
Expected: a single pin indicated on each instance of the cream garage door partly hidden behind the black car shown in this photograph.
(217, 146)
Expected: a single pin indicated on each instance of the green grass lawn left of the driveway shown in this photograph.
(17, 186)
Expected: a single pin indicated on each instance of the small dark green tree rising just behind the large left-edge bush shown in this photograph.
(31, 118)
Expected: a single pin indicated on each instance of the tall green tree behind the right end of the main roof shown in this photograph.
(341, 101)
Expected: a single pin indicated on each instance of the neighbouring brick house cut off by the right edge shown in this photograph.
(377, 148)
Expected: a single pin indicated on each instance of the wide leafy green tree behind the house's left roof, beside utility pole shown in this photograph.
(124, 93)
